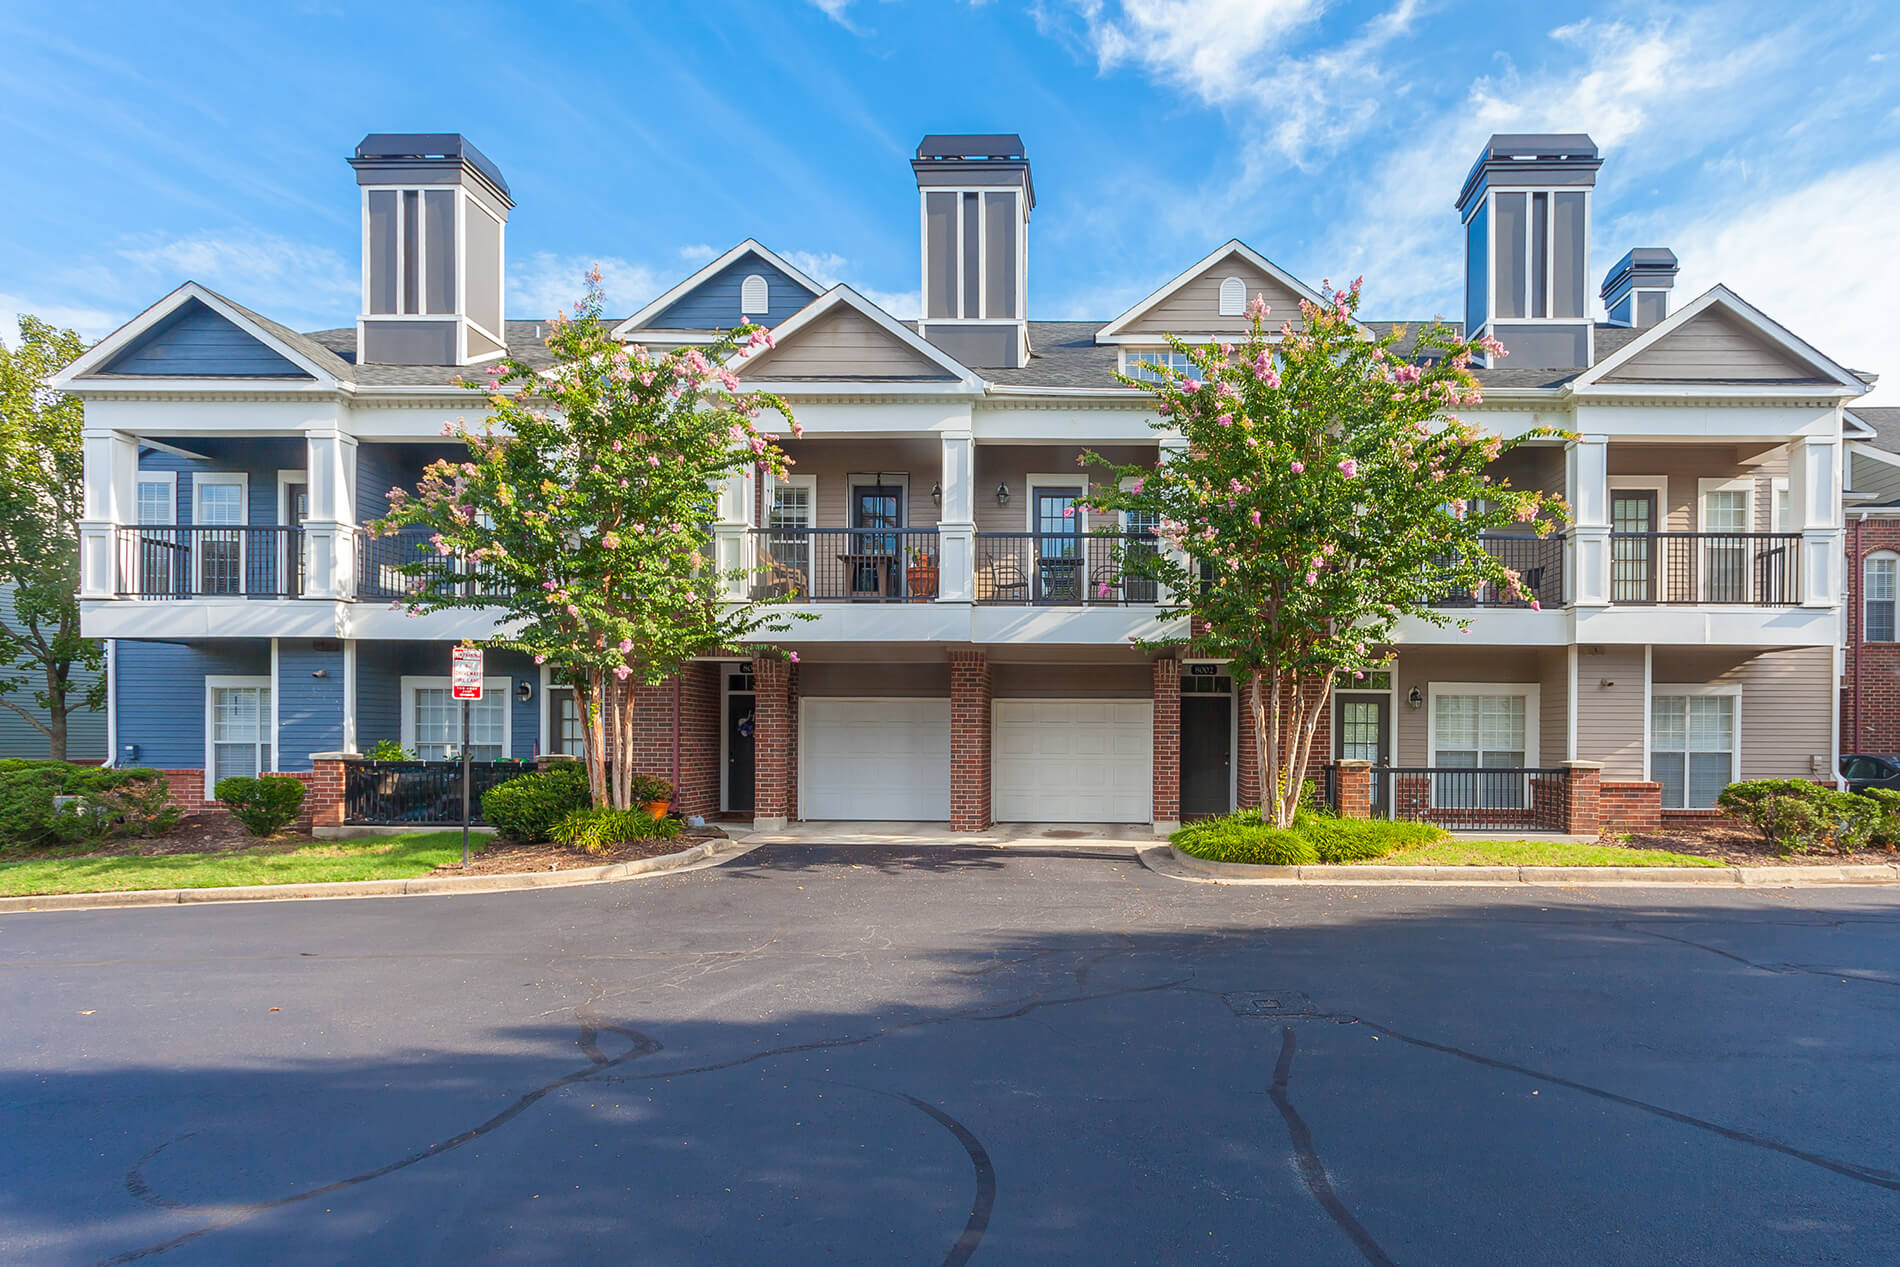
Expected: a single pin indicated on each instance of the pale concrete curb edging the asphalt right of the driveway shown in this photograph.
(1177, 865)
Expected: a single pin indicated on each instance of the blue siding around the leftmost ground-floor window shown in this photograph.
(161, 694)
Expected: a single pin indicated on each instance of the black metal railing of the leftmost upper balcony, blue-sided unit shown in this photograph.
(210, 563)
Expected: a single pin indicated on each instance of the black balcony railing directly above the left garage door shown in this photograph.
(846, 565)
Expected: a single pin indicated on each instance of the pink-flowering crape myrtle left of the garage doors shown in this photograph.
(582, 512)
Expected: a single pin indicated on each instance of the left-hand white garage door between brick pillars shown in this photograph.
(875, 759)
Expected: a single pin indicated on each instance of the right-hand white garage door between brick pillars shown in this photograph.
(1073, 761)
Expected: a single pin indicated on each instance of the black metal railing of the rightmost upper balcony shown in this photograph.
(1755, 569)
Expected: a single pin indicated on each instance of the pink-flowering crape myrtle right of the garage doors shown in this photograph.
(1321, 493)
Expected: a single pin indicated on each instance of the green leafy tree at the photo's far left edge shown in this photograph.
(41, 499)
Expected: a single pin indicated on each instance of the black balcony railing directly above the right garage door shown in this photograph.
(1055, 569)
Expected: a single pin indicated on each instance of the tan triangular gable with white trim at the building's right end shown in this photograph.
(1720, 339)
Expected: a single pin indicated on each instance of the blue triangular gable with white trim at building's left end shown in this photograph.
(275, 352)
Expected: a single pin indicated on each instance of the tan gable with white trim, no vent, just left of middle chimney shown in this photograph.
(839, 337)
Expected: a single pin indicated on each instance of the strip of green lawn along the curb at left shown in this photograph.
(389, 858)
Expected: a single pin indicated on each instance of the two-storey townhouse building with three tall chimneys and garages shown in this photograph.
(970, 656)
